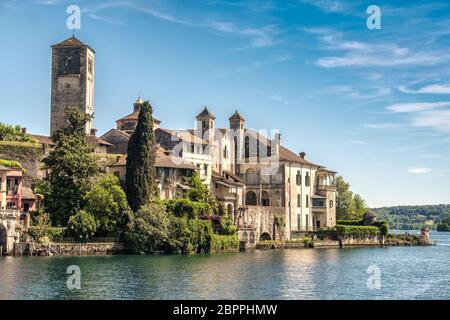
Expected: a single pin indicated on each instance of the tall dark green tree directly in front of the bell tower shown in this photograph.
(71, 165)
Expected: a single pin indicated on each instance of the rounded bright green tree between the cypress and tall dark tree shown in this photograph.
(107, 202)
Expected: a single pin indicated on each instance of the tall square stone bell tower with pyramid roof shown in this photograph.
(72, 80)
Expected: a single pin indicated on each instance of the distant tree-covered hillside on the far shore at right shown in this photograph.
(413, 217)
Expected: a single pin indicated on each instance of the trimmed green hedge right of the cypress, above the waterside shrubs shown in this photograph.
(184, 207)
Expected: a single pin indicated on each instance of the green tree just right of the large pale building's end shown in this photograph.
(348, 206)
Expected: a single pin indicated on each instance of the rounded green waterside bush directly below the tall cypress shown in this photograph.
(148, 230)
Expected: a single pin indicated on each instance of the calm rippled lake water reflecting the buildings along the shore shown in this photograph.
(406, 273)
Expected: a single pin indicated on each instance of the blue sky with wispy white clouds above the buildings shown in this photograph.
(371, 104)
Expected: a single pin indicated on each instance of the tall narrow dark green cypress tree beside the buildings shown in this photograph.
(140, 170)
